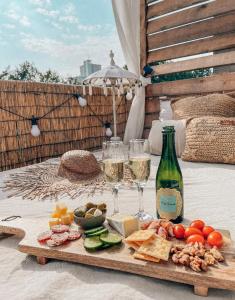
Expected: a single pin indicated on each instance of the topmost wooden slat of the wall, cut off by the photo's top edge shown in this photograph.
(167, 6)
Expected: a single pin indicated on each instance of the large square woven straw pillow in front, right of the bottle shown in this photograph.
(210, 139)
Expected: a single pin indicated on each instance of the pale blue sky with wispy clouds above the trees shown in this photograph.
(57, 34)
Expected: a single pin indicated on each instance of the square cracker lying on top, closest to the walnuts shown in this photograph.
(158, 248)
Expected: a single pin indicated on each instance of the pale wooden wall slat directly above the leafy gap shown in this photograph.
(221, 59)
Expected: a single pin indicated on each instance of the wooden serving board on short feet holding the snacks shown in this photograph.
(119, 258)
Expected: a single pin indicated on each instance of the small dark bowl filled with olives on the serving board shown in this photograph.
(91, 215)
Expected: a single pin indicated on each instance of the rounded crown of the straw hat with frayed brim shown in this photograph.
(78, 165)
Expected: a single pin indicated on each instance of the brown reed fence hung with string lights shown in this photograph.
(67, 127)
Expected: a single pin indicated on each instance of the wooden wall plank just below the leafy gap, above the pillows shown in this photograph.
(214, 83)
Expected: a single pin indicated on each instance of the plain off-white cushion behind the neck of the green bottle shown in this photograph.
(155, 135)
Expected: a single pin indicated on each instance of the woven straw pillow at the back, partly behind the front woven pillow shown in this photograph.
(209, 105)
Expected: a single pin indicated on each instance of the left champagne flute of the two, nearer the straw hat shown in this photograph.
(113, 158)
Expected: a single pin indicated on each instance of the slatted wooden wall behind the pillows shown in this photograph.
(182, 29)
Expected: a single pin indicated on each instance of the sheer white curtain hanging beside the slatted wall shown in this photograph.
(127, 17)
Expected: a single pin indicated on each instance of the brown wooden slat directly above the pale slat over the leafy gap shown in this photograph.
(217, 42)
